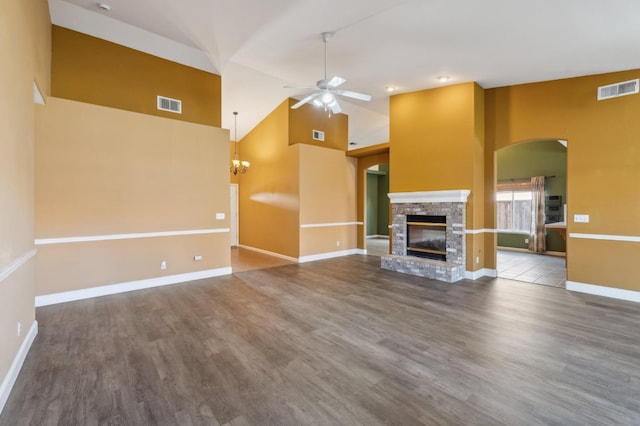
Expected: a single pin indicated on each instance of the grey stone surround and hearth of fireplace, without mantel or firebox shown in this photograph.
(450, 271)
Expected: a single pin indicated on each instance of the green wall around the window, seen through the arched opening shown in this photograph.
(538, 158)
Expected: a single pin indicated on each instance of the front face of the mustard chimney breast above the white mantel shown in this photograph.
(431, 134)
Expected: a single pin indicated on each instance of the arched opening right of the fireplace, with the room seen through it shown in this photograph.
(518, 258)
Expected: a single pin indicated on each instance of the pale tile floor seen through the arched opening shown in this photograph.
(533, 268)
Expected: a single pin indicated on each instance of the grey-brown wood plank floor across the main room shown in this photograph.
(333, 342)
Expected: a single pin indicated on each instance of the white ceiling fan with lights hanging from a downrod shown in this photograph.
(326, 90)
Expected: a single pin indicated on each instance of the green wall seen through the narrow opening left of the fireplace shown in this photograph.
(378, 201)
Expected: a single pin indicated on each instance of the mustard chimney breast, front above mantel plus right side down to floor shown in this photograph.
(437, 143)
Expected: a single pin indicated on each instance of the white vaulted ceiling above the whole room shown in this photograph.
(258, 46)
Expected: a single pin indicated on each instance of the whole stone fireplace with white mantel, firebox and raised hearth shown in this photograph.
(428, 234)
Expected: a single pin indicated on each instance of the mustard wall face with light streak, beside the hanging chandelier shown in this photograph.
(269, 202)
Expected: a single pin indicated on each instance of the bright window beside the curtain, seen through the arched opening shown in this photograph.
(514, 208)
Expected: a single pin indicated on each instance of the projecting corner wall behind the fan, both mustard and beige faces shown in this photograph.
(294, 181)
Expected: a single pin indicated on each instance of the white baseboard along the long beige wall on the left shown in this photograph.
(87, 293)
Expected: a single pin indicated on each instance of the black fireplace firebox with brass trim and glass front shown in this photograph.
(427, 236)
